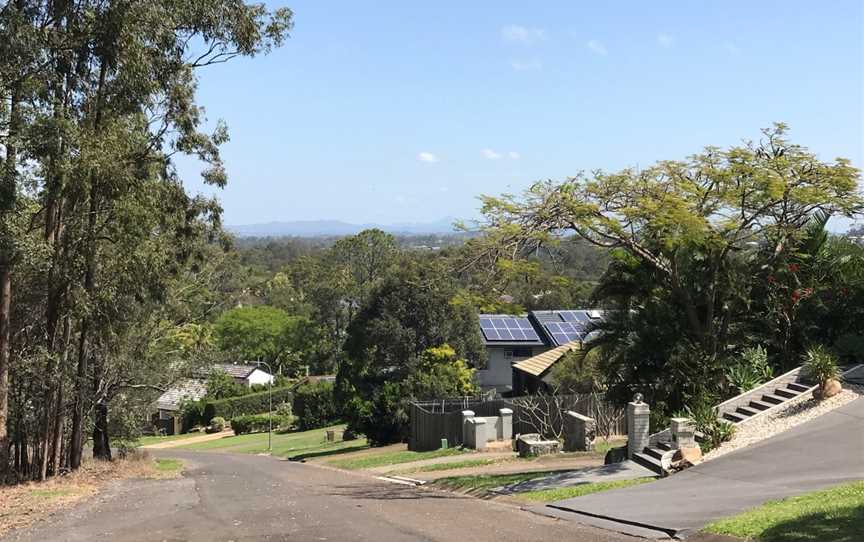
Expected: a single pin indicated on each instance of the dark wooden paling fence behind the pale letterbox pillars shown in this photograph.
(432, 421)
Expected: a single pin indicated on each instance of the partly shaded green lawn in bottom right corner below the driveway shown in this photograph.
(835, 514)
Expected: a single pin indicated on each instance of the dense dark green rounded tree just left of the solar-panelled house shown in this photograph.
(388, 357)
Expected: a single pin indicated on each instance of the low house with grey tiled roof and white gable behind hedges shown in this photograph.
(167, 417)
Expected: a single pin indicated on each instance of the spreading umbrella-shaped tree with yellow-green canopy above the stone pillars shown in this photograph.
(687, 238)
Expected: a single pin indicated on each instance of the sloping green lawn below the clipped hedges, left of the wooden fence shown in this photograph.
(297, 445)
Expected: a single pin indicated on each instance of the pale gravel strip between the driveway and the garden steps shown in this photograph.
(794, 412)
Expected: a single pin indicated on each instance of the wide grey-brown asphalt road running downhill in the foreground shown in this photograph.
(228, 497)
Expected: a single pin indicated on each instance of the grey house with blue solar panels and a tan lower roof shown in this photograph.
(521, 340)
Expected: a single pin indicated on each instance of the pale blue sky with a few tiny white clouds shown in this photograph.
(403, 111)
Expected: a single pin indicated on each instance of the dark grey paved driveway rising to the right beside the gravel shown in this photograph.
(824, 452)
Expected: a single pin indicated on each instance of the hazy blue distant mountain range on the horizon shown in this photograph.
(322, 228)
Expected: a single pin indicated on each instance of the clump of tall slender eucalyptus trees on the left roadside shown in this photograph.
(98, 95)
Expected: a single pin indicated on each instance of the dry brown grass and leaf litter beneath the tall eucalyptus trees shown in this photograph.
(23, 504)
